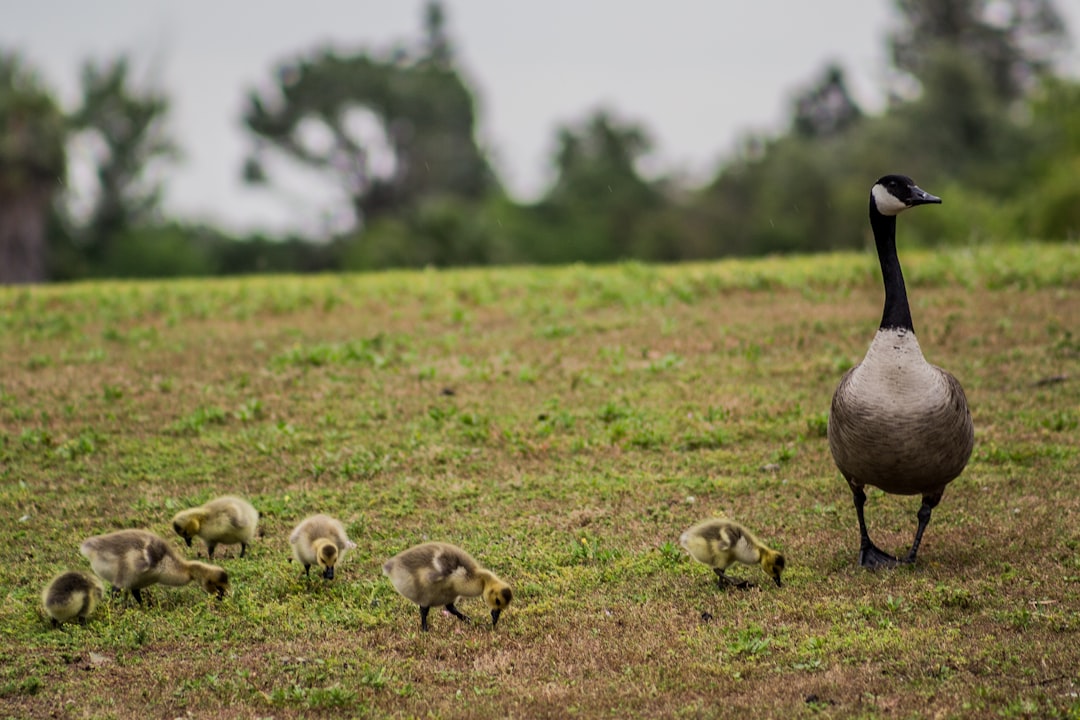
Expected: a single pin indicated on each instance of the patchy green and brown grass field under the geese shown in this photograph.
(564, 426)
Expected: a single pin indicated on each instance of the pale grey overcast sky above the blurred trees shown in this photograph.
(696, 74)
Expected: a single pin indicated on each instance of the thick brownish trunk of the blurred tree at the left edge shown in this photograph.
(23, 247)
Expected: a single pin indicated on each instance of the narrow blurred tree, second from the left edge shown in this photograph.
(128, 127)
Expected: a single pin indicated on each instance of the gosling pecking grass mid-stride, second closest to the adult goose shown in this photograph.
(438, 574)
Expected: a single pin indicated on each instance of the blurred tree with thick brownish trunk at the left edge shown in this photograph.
(32, 170)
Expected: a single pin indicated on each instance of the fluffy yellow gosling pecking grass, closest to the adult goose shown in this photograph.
(721, 542)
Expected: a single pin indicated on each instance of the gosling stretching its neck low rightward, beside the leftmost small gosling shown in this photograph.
(133, 560)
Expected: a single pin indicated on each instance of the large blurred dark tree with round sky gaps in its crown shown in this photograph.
(389, 131)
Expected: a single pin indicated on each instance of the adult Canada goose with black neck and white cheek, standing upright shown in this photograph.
(898, 423)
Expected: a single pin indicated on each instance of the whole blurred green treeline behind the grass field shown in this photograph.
(977, 114)
